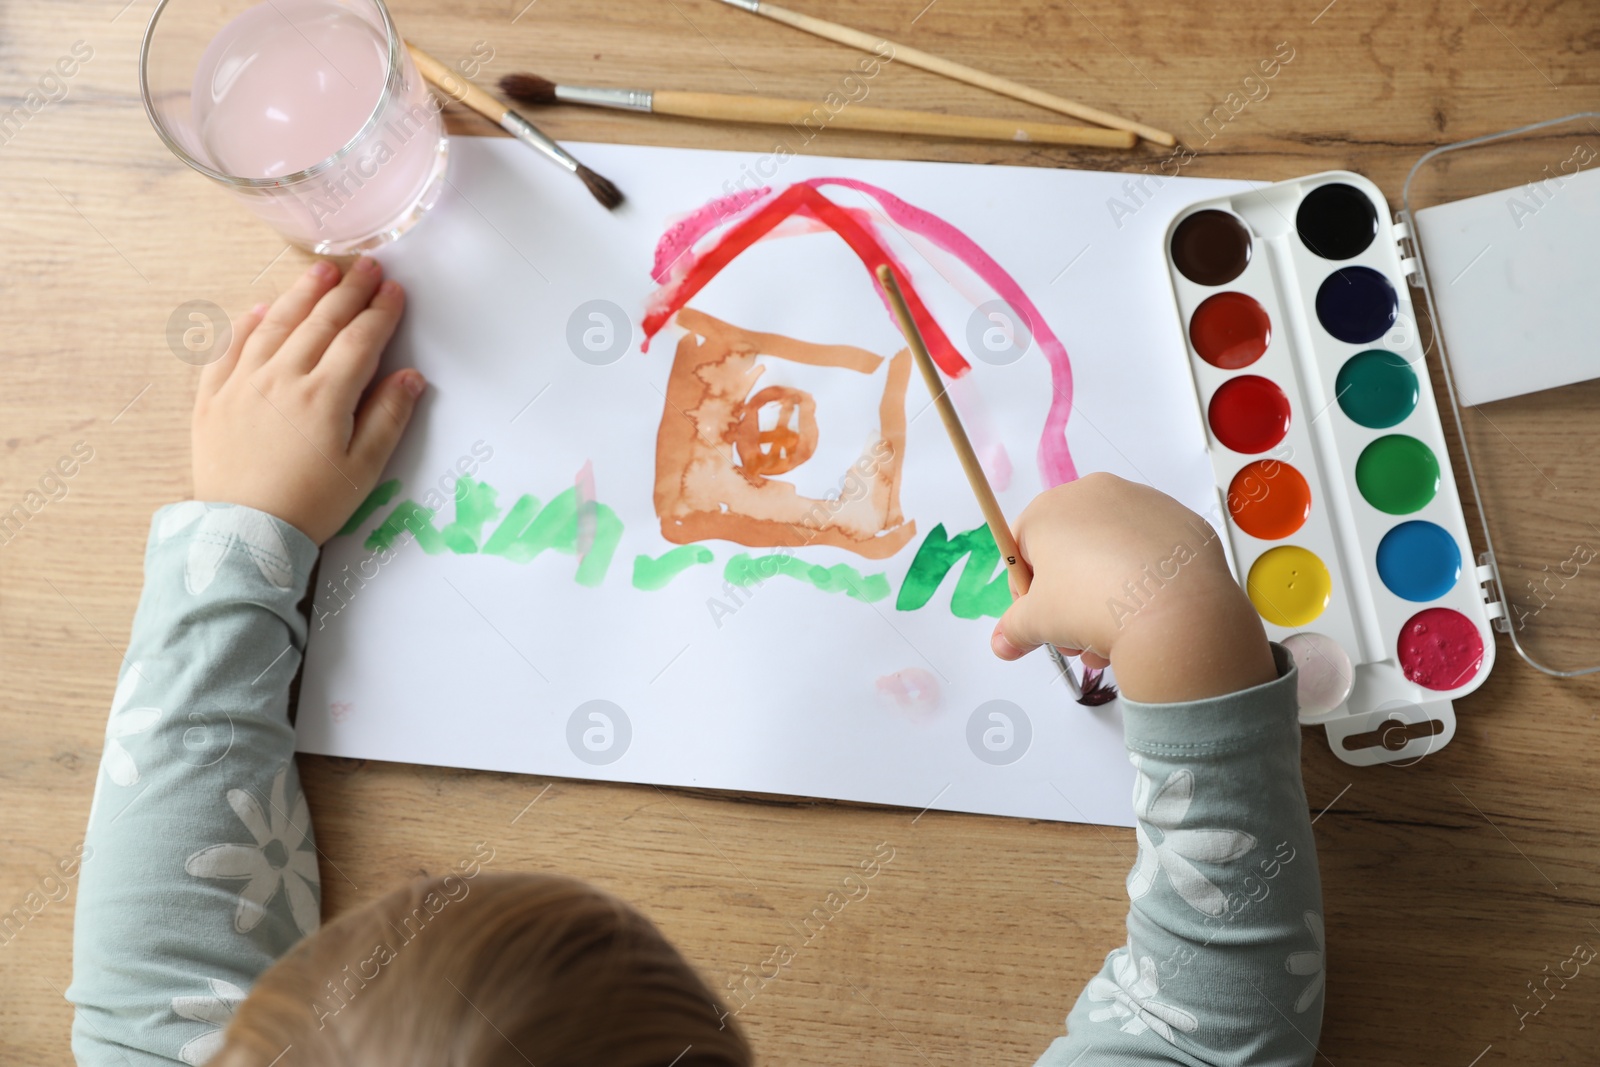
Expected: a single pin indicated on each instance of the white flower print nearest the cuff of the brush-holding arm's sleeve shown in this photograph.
(1166, 809)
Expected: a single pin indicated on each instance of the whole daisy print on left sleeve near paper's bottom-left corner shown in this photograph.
(282, 857)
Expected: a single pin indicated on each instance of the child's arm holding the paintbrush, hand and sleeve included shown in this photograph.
(1225, 953)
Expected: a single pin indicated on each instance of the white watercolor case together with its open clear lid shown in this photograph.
(1502, 234)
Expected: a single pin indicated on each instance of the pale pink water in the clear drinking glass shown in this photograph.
(287, 86)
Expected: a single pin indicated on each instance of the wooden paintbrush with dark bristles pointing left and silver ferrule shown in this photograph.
(530, 89)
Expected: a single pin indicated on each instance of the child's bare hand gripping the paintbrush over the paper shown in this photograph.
(1130, 577)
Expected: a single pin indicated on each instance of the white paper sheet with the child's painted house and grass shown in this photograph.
(746, 527)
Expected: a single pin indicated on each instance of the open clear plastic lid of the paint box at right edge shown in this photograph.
(1505, 233)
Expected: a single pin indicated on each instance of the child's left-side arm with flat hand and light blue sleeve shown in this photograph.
(199, 866)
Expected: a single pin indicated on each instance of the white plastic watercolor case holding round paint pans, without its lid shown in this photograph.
(1353, 642)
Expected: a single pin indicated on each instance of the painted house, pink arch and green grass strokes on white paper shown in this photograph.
(726, 439)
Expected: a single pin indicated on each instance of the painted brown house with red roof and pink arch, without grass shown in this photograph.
(724, 441)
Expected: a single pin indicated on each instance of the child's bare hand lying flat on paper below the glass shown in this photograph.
(276, 418)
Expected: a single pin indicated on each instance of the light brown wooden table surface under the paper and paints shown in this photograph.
(1450, 885)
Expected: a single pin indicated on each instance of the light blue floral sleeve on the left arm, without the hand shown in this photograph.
(199, 866)
